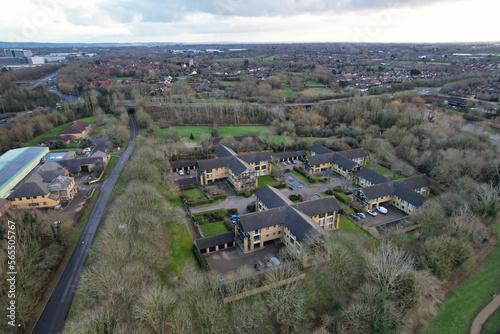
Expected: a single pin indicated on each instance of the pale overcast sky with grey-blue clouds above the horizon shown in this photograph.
(210, 21)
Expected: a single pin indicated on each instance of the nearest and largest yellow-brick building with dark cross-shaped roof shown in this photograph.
(281, 220)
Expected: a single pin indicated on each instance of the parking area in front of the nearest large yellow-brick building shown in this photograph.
(229, 260)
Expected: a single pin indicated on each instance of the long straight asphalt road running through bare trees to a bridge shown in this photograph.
(54, 315)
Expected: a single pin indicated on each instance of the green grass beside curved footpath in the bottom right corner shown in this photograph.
(467, 299)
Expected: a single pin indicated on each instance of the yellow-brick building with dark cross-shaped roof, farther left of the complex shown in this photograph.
(241, 170)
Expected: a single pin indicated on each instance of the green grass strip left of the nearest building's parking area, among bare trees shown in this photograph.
(179, 245)
